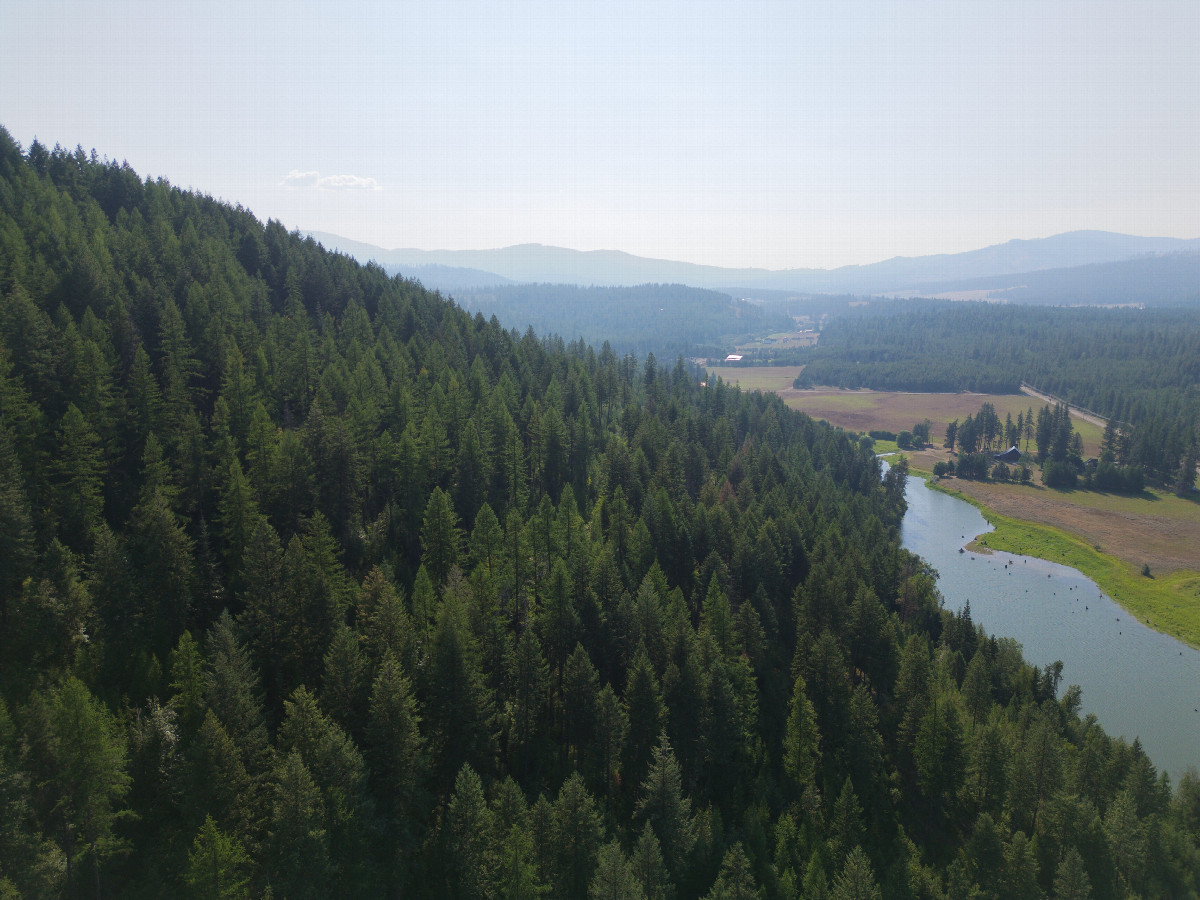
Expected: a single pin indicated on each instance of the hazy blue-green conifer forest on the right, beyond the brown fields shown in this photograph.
(1141, 368)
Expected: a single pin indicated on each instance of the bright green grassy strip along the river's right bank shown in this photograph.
(1160, 602)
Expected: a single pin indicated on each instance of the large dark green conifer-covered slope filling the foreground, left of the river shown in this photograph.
(314, 585)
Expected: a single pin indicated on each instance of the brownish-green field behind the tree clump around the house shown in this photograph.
(896, 411)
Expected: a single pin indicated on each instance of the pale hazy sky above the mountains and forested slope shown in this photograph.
(775, 135)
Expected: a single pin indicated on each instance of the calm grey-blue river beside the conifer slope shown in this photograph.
(1138, 682)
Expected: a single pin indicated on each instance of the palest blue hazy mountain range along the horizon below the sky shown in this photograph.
(539, 263)
